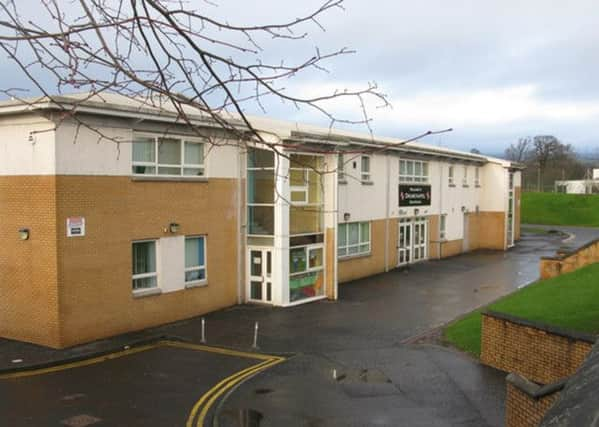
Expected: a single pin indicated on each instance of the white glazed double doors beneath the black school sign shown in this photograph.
(413, 240)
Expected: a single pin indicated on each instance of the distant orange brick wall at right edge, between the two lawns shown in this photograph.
(568, 261)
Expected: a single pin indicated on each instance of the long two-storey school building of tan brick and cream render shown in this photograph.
(121, 217)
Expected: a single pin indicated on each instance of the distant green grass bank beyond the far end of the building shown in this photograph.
(560, 209)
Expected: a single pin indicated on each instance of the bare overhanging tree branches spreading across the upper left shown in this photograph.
(167, 53)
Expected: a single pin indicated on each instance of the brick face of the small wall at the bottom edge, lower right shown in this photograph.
(525, 410)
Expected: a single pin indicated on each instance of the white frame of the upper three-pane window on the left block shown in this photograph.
(182, 166)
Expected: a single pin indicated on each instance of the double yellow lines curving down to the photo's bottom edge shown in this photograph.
(203, 405)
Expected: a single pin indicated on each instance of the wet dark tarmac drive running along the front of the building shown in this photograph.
(351, 364)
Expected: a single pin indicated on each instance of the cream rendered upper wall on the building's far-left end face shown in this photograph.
(22, 155)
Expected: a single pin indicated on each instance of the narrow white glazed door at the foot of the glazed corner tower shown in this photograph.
(260, 275)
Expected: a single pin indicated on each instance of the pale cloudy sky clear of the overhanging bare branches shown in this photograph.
(492, 70)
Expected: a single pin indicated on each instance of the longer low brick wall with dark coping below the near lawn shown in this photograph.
(541, 353)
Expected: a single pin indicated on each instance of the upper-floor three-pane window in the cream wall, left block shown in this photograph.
(167, 157)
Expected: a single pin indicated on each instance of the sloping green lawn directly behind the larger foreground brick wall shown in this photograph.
(569, 301)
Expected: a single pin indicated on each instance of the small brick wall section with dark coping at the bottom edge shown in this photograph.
(527, 403)
